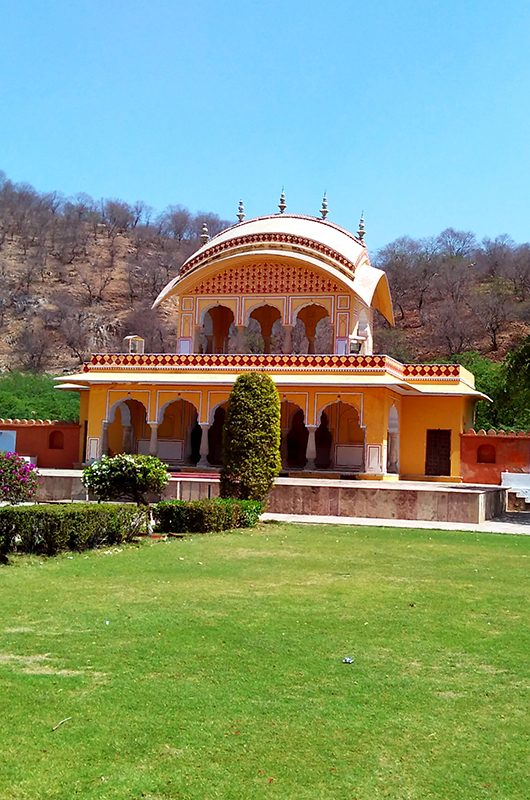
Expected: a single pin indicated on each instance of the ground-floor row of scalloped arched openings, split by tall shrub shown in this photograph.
(336, 442)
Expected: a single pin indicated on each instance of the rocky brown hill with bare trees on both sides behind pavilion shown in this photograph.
(78, 275)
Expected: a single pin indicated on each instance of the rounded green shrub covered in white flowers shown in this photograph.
(127, 477)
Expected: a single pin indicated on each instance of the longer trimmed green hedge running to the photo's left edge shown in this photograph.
(49, 529)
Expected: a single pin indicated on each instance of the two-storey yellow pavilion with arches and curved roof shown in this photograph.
(293, 296)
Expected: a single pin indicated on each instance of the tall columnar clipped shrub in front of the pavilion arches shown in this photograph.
(251, 438)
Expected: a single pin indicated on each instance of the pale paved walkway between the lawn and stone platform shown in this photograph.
(509, 523)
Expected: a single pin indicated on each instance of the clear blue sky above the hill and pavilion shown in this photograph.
(416, 111)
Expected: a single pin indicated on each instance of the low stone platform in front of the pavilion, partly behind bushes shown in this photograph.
(405, 500)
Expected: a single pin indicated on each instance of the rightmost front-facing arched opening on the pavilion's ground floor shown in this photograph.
(339, 439)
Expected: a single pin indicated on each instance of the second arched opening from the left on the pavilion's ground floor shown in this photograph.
(179, 434)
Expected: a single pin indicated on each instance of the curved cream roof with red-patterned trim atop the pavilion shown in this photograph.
(320, 244)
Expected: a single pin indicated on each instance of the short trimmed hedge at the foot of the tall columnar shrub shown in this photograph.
(202, 516)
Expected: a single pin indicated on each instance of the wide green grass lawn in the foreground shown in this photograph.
(212, 668)
